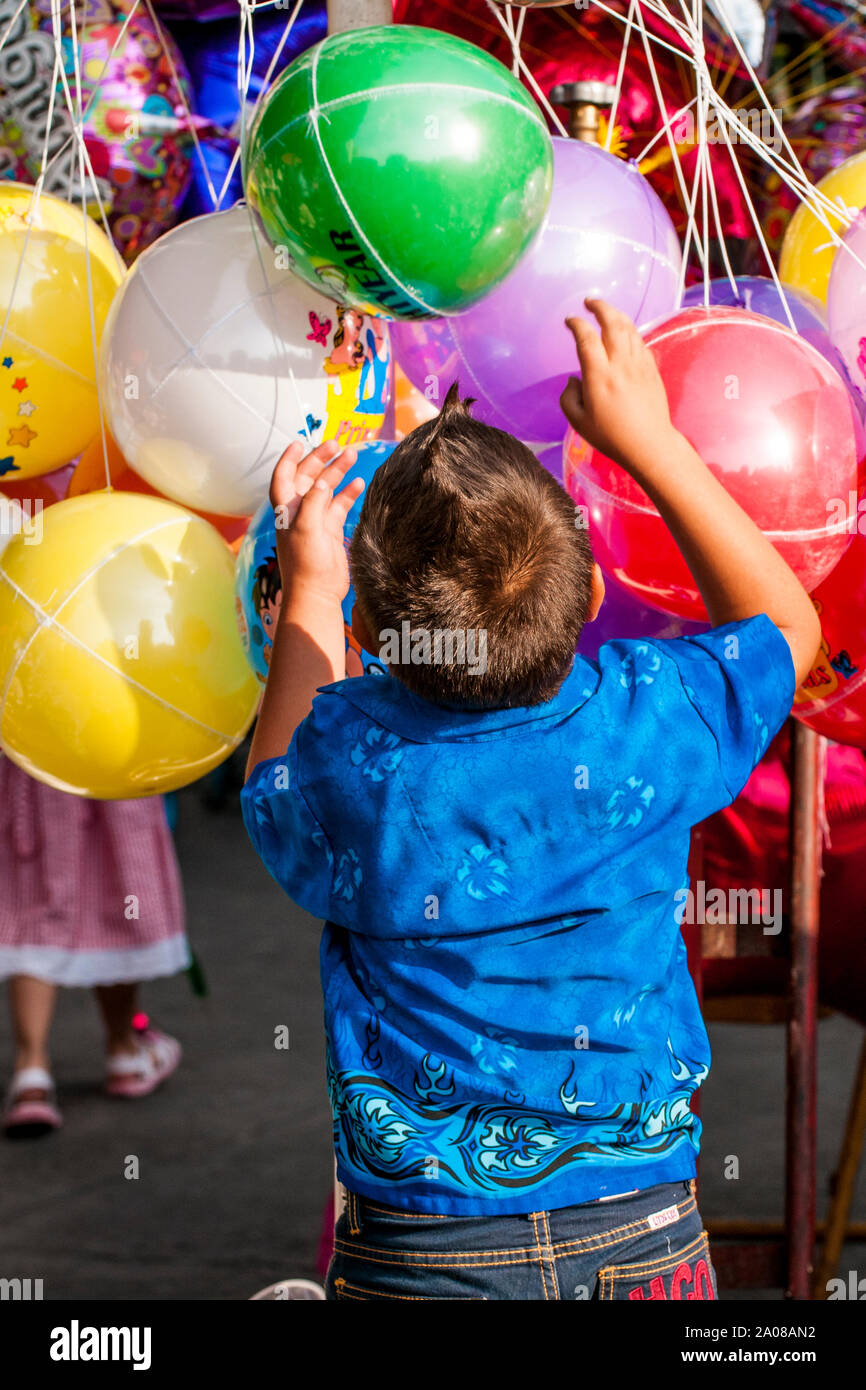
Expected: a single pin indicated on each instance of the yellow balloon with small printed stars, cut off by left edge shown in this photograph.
(48, 365)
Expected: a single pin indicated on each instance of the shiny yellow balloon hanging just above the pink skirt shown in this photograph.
(122, 669)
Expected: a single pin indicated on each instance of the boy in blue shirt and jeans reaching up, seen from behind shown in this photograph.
(500, 854)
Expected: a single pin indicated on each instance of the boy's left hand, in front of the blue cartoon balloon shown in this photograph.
(311, 519)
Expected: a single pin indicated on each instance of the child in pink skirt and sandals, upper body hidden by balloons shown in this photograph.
(91, 897)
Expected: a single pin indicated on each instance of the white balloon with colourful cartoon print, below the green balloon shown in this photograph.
(215, 361)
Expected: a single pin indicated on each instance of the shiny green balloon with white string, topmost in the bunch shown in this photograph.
(404, 170)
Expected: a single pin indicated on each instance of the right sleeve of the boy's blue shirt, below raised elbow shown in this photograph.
(740, 680)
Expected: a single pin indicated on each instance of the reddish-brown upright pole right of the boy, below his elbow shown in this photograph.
(803, 1017)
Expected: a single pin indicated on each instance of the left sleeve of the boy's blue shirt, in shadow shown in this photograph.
(286, 835)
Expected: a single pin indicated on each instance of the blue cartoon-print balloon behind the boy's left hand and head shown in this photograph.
(259, 584)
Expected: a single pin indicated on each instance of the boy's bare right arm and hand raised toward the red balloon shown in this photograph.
(621, 408)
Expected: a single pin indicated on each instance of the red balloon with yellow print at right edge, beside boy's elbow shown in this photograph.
(833, 696)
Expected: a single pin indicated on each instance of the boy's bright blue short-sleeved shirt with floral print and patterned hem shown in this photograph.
(509, 1015)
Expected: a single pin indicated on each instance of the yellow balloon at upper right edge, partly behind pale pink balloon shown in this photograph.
(808, 251)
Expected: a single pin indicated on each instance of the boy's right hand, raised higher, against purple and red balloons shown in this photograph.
(619, 407)
